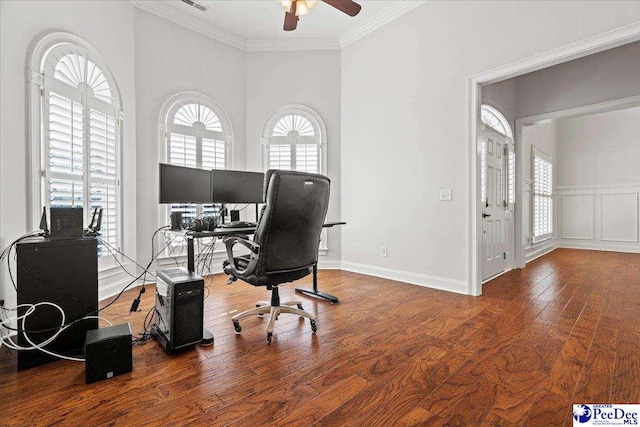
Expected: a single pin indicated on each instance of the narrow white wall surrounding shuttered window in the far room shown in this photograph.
(544, 138)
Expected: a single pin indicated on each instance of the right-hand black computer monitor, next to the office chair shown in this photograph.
(237, 186)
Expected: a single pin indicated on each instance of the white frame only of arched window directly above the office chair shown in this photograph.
(319, 138)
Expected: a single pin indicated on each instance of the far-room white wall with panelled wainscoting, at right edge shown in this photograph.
(599, 181)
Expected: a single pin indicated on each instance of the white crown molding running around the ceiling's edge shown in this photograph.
(180, 17)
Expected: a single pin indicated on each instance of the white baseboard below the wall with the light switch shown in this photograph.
(440, 283)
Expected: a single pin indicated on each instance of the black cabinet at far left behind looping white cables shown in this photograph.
(64, 272)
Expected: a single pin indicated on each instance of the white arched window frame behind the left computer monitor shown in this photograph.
(167, 126)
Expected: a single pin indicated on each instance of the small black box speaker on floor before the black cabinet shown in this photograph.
(108, 353)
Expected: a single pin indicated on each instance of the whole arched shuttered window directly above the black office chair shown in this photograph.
(294, 138)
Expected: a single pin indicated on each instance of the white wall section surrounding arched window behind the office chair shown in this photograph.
(276, 79)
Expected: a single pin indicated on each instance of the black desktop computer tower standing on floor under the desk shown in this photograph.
(179, 308)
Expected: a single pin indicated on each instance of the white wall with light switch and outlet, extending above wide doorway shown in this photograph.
(405, 124)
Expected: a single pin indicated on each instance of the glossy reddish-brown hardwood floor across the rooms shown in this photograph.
(565, 329)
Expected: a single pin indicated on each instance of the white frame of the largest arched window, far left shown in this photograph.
(41, 82)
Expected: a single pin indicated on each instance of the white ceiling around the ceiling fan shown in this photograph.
(257, 24)
